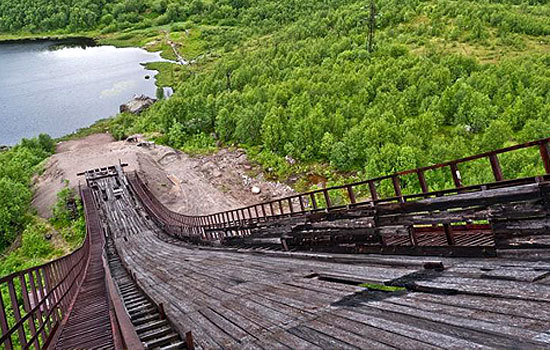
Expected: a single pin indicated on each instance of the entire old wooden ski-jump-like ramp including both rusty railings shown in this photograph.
(421, 259)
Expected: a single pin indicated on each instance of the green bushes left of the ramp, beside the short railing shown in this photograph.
(18, 222)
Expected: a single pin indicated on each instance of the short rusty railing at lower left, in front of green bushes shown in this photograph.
(34, 302)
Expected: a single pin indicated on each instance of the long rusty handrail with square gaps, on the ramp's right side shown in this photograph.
(321, 200)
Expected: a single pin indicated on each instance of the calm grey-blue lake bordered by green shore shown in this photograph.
(58, 87)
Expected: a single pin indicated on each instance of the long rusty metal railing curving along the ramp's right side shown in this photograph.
(349, 195)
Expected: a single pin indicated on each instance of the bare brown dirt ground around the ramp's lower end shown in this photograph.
(191, 185)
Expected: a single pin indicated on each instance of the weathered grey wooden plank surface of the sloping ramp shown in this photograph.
(258, 299)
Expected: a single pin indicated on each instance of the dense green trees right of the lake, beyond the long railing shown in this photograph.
(301, 82)
